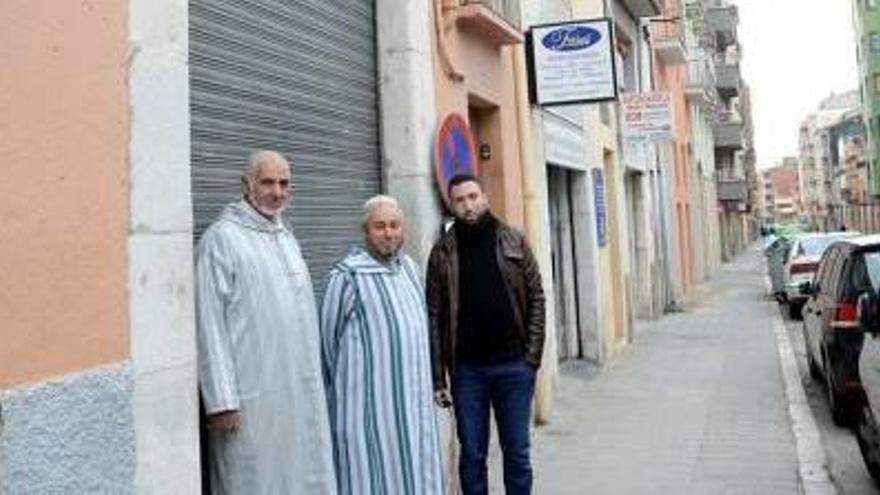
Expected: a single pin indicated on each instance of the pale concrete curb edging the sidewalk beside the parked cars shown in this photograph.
(812, 463)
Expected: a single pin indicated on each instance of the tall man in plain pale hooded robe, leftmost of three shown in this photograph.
(259, 347)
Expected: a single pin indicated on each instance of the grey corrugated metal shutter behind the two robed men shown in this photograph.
(298, 77)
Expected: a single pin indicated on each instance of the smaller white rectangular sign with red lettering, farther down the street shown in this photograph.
(647, 116)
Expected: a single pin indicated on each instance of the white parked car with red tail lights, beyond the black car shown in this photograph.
(801, 262)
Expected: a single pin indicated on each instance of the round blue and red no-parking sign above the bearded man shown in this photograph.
(453, 152)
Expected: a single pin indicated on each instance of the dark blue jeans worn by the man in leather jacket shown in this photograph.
(508, 389)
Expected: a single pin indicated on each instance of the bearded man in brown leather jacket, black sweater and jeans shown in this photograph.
(486, 313)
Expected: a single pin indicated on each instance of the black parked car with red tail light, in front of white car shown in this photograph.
(833, 333)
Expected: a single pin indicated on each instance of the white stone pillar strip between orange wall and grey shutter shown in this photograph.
(160, 271)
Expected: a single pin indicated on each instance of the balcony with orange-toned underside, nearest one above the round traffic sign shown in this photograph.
(495, 20)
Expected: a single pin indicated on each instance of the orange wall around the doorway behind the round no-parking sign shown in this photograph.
(489, 80)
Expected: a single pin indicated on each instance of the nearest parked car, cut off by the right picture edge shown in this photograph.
(868, 427)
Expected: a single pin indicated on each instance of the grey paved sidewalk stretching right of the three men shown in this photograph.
(697, 404)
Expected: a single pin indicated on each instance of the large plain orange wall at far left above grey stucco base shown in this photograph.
(63, 196)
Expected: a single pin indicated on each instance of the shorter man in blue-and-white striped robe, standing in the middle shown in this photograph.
(377, 365)
